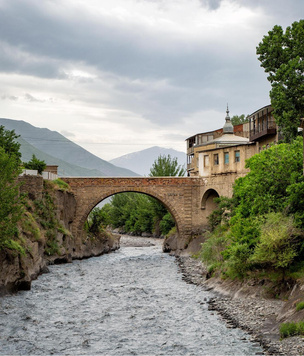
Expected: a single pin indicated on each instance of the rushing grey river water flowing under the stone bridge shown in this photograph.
(131, 302)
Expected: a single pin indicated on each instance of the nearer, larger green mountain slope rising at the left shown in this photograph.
(54, 148)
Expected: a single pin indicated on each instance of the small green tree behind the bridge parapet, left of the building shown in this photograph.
(165, 166)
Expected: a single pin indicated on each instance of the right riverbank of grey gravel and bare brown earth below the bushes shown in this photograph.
(245, 308)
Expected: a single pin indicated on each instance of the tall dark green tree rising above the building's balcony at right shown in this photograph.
(281, 55)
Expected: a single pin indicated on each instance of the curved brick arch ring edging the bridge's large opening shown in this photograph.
(105, 195)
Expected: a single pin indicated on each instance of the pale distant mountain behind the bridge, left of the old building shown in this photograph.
(141, 161)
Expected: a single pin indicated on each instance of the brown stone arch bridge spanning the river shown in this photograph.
(189, 199)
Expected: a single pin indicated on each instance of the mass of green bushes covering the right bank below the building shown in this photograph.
(261, 227)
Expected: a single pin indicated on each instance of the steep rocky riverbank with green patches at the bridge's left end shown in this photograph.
(45, 236)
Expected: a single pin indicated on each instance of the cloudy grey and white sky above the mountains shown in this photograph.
(118, 76)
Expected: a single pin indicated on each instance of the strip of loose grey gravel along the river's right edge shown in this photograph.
(255, 315)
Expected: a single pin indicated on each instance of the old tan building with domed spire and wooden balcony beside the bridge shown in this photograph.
(221, 154)
